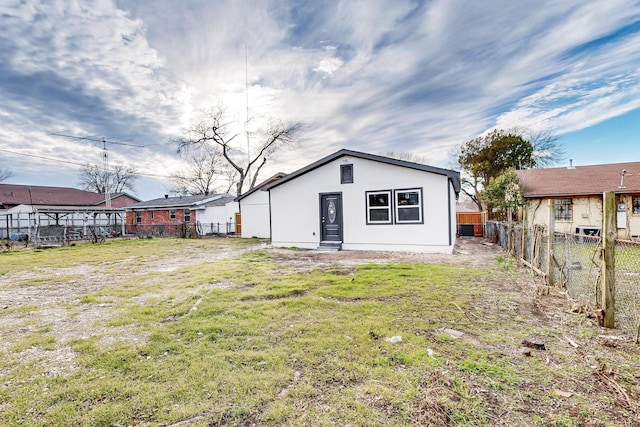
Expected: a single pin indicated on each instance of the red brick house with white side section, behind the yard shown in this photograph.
(181, 215)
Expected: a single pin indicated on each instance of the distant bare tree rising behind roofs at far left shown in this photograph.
(117, 179)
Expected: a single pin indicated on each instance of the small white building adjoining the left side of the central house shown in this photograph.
(254, 210)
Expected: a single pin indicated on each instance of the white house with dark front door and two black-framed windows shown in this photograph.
(357, 201)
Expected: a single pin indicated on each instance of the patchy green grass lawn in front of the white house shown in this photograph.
(258, 338)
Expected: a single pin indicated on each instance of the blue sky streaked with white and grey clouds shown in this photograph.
(376, 76)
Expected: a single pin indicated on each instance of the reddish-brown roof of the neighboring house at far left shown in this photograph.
(32, 195)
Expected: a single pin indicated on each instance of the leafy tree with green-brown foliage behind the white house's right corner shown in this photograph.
(486, 157)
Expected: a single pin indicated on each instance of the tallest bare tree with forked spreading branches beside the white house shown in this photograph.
(215, 130)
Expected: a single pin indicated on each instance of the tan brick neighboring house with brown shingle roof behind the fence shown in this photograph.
(576, 192)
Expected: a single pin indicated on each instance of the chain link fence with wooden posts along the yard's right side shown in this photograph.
(576, 265)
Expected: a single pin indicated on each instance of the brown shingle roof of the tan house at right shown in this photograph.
(581, 180)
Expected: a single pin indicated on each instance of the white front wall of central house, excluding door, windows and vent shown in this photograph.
(295, 208)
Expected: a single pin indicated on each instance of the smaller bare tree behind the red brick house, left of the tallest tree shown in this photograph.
(205, 165)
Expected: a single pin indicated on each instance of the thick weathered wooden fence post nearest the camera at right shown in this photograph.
(609, 232)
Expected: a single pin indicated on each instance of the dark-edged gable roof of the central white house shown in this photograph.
(453, 176)
